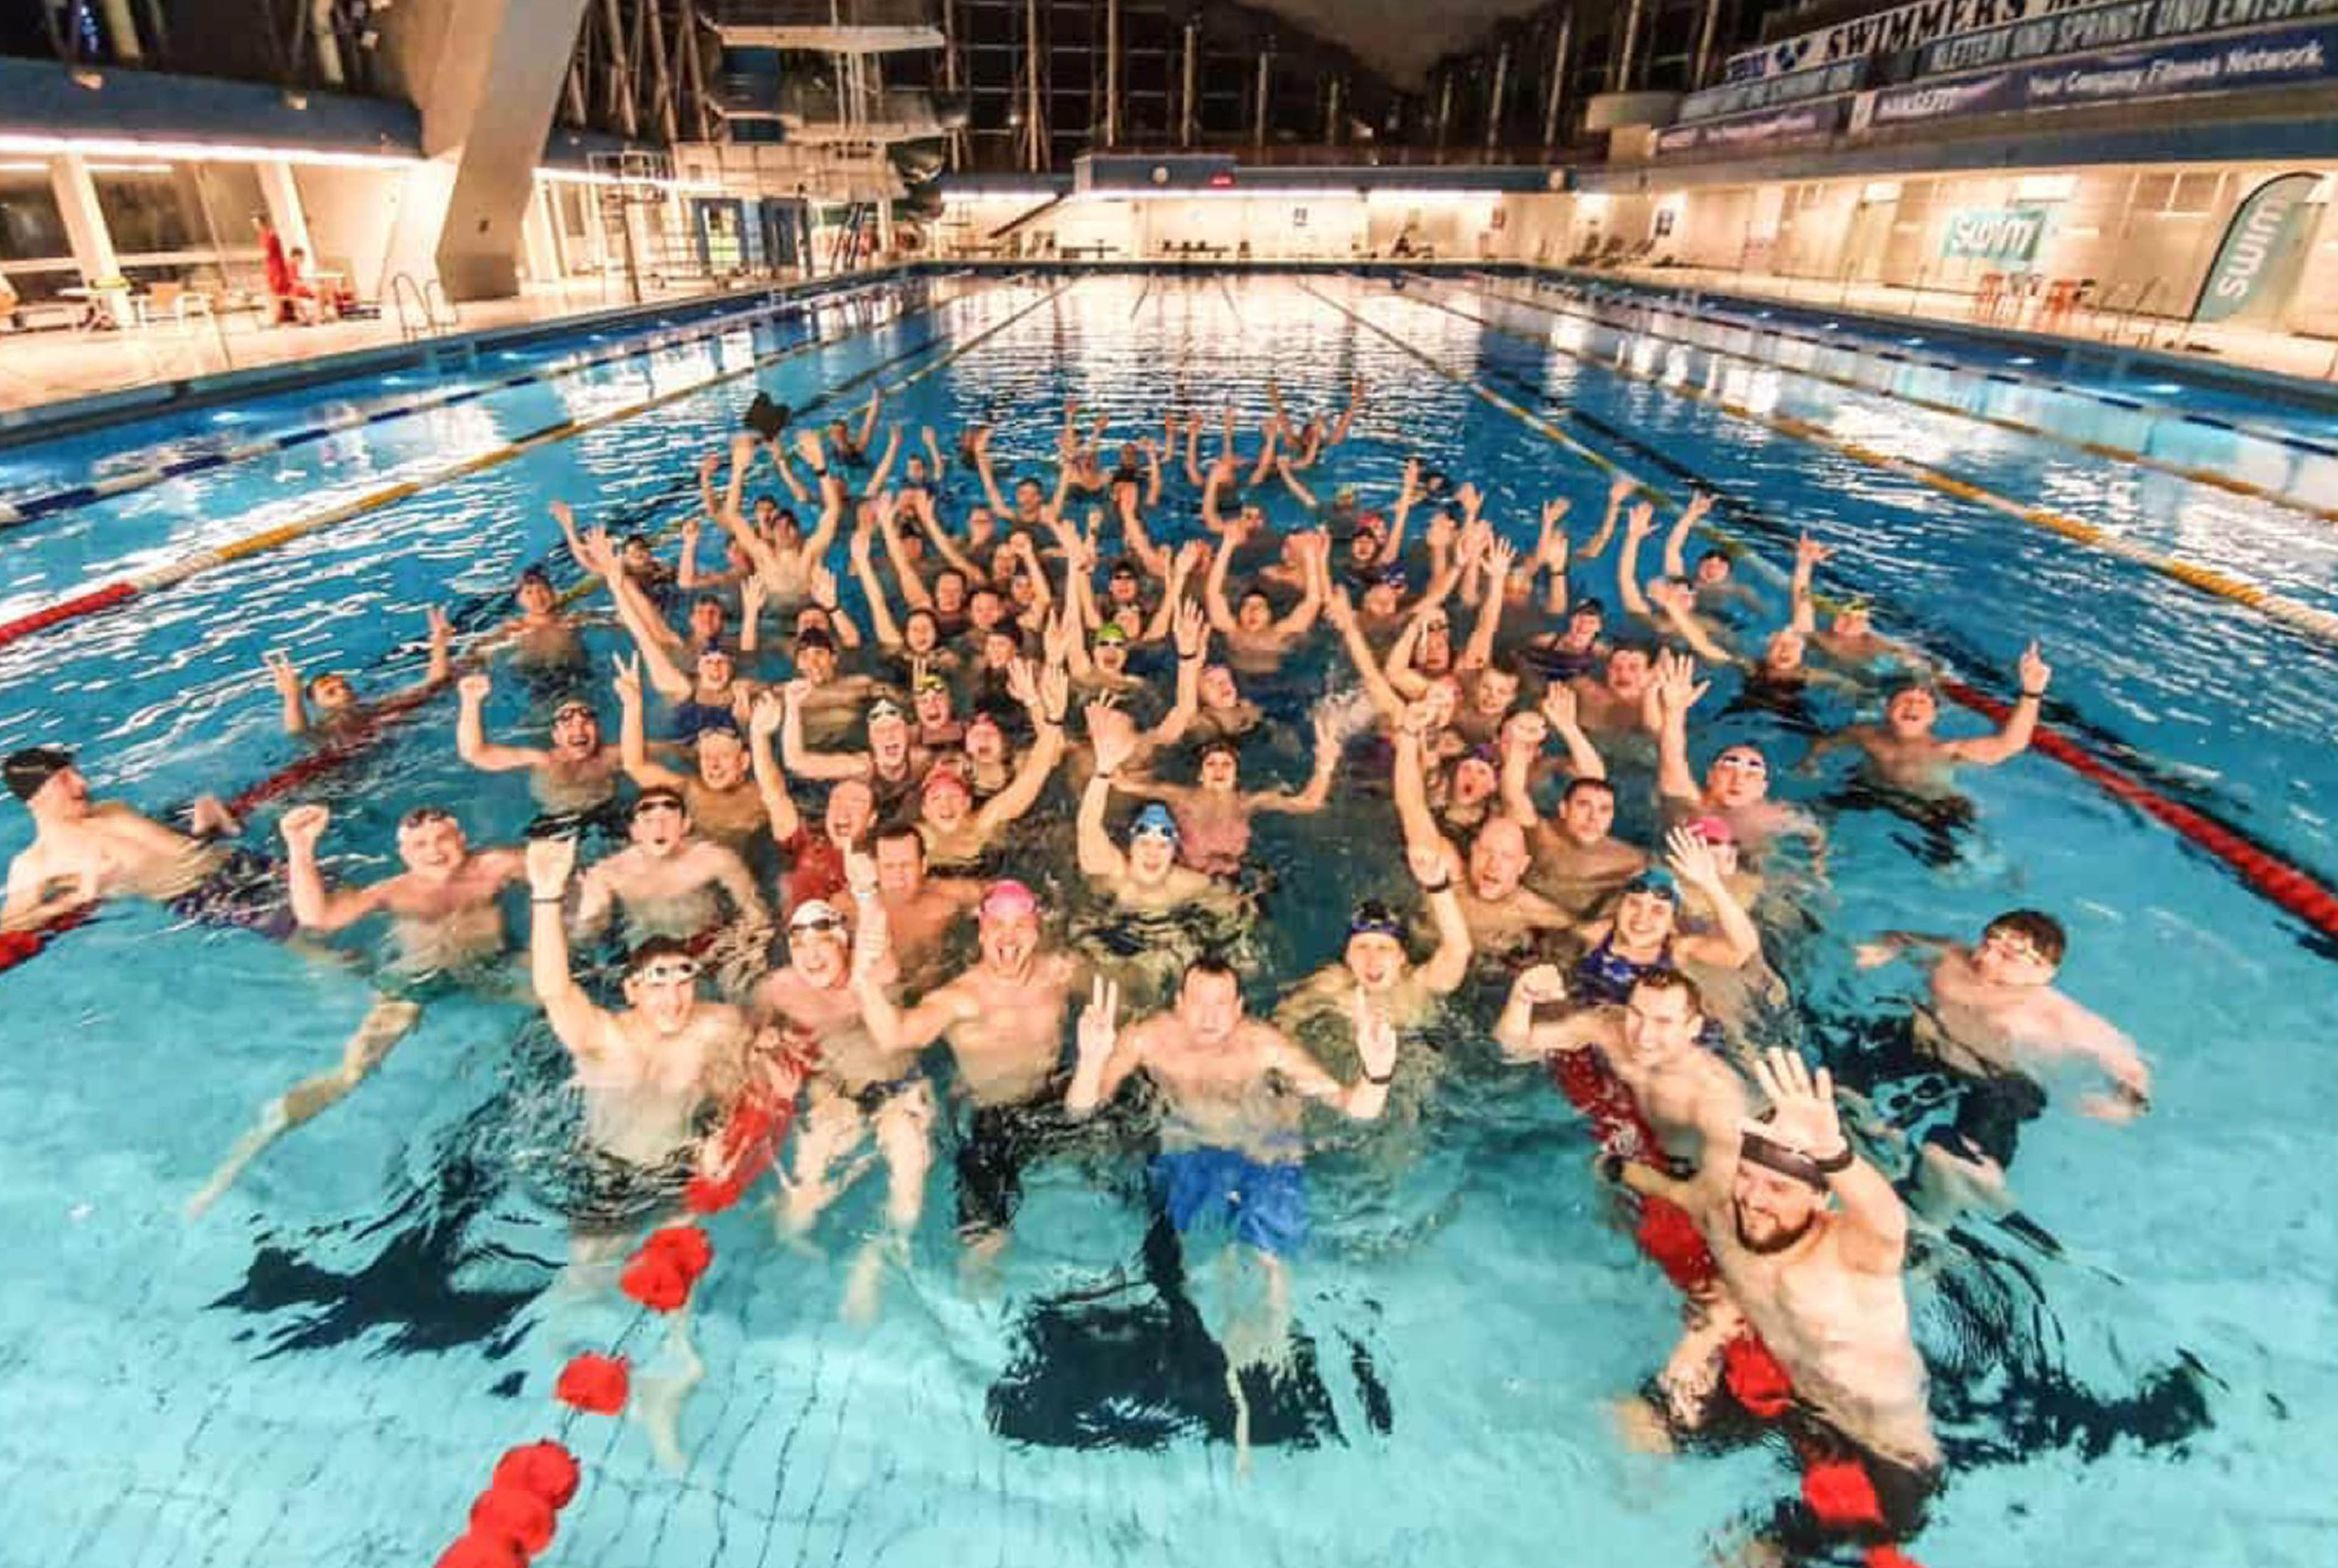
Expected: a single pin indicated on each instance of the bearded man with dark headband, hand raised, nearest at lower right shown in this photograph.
(1813, 1244)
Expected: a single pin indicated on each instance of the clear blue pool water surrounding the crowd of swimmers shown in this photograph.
(324, 1368)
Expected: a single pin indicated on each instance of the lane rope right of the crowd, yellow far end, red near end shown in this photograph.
(2262, 870)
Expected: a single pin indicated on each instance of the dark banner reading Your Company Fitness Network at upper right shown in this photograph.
(2166, 71)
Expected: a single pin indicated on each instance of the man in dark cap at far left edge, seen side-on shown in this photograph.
(85, 852)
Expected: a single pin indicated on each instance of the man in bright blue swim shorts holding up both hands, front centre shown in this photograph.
(1231, 1130)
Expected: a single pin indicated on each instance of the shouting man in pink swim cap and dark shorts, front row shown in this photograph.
(1004, 1025)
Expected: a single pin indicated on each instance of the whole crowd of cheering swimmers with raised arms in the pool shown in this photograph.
(805, 807)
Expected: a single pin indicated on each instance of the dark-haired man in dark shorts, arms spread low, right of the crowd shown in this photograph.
(1993, 1018)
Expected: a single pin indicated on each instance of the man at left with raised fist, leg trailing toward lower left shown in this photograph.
(445, 920)
